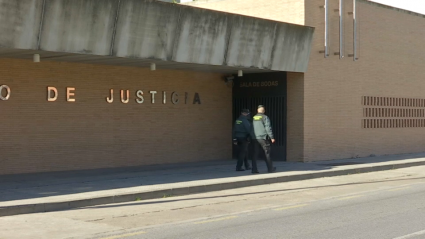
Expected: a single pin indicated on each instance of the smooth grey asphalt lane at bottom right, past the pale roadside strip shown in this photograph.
(398, 212)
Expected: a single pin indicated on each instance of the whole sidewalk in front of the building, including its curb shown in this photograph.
(46, 192)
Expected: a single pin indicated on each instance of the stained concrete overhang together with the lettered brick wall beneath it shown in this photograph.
(90, 84)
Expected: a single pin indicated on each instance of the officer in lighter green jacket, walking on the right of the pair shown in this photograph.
(262, 135)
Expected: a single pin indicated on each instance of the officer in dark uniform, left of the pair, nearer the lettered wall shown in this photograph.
(241, 135)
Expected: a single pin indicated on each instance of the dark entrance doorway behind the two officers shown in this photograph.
(268, 89)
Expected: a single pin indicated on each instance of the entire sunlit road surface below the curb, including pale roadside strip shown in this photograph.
(380, 205)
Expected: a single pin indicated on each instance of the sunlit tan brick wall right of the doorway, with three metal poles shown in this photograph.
(391, 64)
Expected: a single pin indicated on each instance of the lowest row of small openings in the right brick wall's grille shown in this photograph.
(393, 123)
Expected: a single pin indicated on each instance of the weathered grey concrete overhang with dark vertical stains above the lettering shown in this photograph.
(140, 32)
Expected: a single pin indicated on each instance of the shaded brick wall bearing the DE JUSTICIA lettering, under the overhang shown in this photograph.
(39, 136)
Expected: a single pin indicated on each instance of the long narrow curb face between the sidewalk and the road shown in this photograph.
(131, 197)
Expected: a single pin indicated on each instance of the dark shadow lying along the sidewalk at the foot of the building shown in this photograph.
(40, 185)
